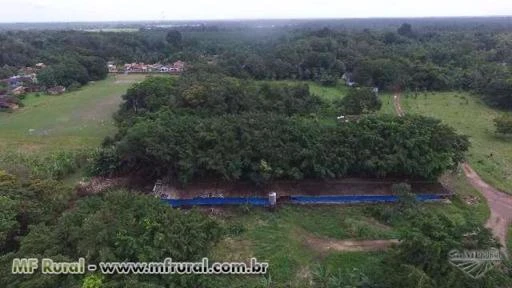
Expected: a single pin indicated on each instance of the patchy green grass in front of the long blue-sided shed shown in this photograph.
(280, 238)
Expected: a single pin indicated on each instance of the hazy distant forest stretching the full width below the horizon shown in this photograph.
(427, 58)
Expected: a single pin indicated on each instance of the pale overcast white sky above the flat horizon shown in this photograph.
(130, 10)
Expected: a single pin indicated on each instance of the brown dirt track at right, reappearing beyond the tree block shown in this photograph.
(499, 203)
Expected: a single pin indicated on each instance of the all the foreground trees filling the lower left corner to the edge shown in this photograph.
(116, 226)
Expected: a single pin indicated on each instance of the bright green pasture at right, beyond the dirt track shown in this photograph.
(490, 155)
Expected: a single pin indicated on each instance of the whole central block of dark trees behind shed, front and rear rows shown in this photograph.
(266, 131)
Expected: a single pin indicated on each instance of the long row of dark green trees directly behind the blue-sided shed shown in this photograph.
(264, 146)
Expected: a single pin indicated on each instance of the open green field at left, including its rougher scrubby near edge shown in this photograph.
(55, 136)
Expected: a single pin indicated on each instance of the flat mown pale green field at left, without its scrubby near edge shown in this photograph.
(74, 120)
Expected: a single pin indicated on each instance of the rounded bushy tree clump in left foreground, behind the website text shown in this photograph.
(118, 226)
